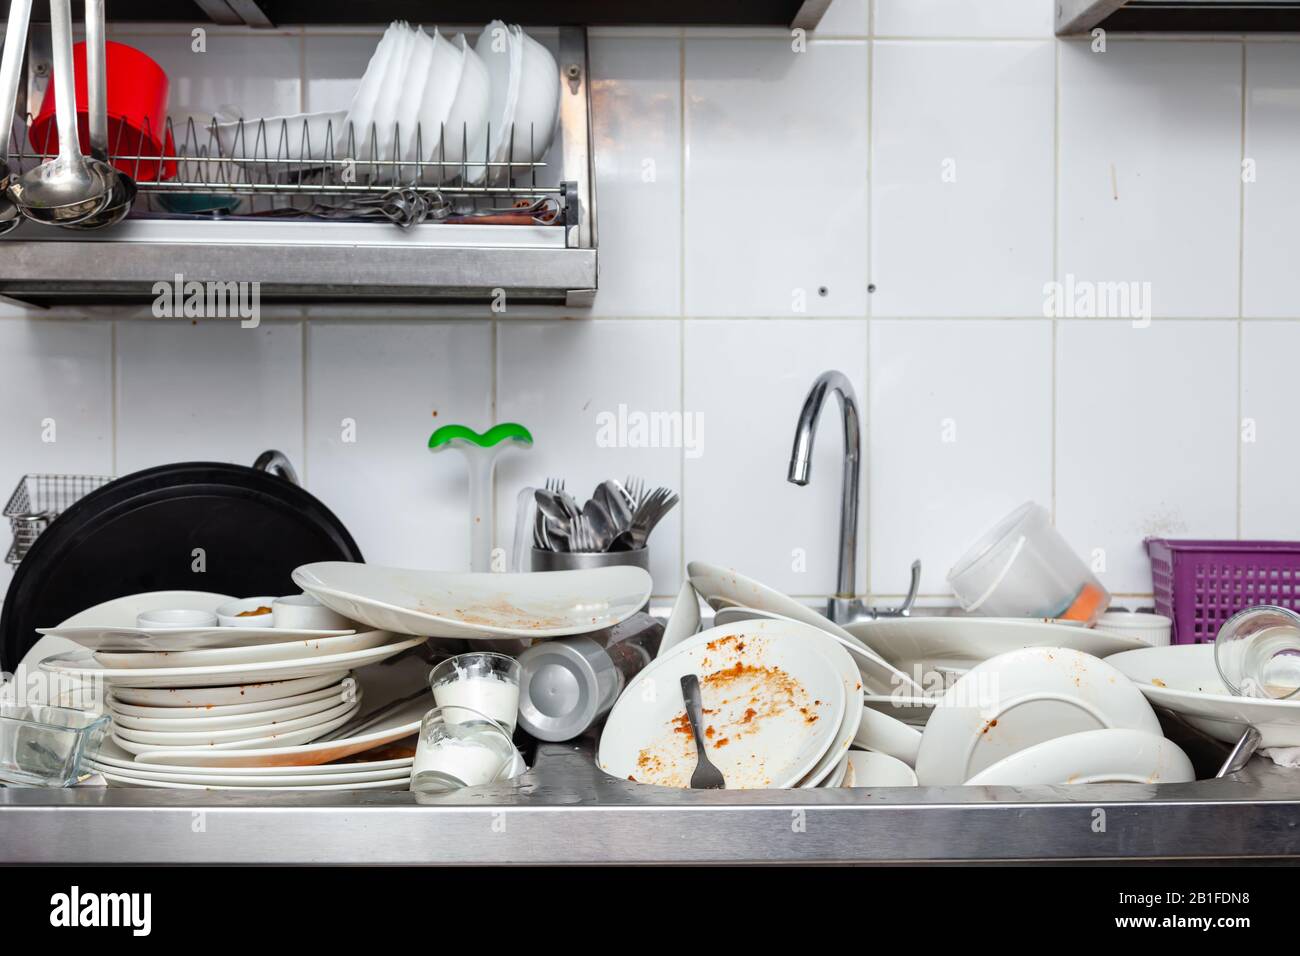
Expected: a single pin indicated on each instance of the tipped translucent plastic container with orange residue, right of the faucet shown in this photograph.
(1025, 569)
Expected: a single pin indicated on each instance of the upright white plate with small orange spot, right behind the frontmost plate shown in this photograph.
(1021, 699)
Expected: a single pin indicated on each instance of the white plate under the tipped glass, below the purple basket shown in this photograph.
(1184, 678)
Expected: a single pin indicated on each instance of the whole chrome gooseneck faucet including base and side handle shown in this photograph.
(846, 607)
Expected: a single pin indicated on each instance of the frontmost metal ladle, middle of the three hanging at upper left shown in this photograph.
(70, 188)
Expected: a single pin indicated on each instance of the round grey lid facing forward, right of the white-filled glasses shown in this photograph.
(558, 691)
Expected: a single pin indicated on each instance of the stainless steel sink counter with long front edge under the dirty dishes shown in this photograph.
(567, 812)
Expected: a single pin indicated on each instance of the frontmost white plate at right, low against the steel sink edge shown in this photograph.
(1095, 756)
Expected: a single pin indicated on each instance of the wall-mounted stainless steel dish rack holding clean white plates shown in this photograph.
(304, 214)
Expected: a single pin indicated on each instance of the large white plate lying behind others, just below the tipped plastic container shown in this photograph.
(920, 644)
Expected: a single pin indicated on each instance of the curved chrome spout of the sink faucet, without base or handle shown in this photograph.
(801, 465)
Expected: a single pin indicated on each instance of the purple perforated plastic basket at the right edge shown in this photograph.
(1201, 585)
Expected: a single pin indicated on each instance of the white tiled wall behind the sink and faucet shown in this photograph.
(890, 201)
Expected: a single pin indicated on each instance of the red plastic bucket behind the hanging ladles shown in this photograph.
(137, 113)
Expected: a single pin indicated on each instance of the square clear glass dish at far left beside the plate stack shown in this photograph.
(44, 746)
